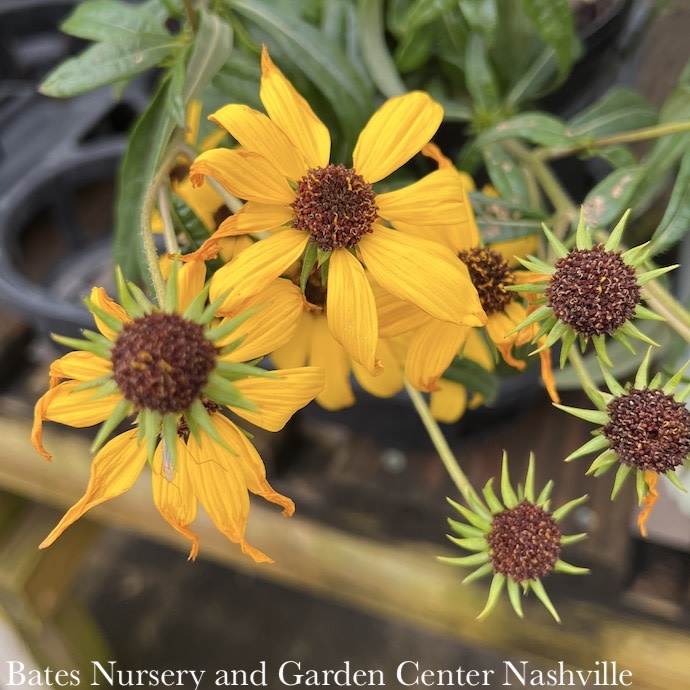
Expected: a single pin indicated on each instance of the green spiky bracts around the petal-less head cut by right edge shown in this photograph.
(607, 458)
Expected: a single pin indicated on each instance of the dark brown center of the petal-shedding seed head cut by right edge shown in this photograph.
(648, 429)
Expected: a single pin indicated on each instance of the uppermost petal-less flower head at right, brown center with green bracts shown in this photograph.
(593, 291)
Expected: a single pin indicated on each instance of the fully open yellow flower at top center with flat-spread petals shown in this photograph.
(330, 215)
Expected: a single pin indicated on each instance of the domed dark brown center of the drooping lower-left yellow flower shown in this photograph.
(162, 362)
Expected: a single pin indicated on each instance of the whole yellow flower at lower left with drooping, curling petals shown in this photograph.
(174, 370)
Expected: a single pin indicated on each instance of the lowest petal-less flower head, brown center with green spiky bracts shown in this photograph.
(515, 538)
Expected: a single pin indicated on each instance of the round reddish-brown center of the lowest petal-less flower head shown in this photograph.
(525, 542)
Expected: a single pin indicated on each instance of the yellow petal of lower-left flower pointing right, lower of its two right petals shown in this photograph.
(277, 399)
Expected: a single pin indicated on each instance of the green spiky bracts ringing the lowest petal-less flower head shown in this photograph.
(473, 535)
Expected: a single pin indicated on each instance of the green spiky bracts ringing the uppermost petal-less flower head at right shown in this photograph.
(552, 328)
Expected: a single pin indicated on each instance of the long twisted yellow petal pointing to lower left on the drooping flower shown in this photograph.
(113, 472)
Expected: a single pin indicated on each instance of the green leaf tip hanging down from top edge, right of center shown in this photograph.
(553, 21)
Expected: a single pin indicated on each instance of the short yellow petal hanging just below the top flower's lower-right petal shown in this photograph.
(432, 349)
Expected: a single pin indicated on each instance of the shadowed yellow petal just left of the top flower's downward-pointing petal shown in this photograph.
(329, 355)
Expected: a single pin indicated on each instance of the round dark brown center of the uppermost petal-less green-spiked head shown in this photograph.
(593, 290)
